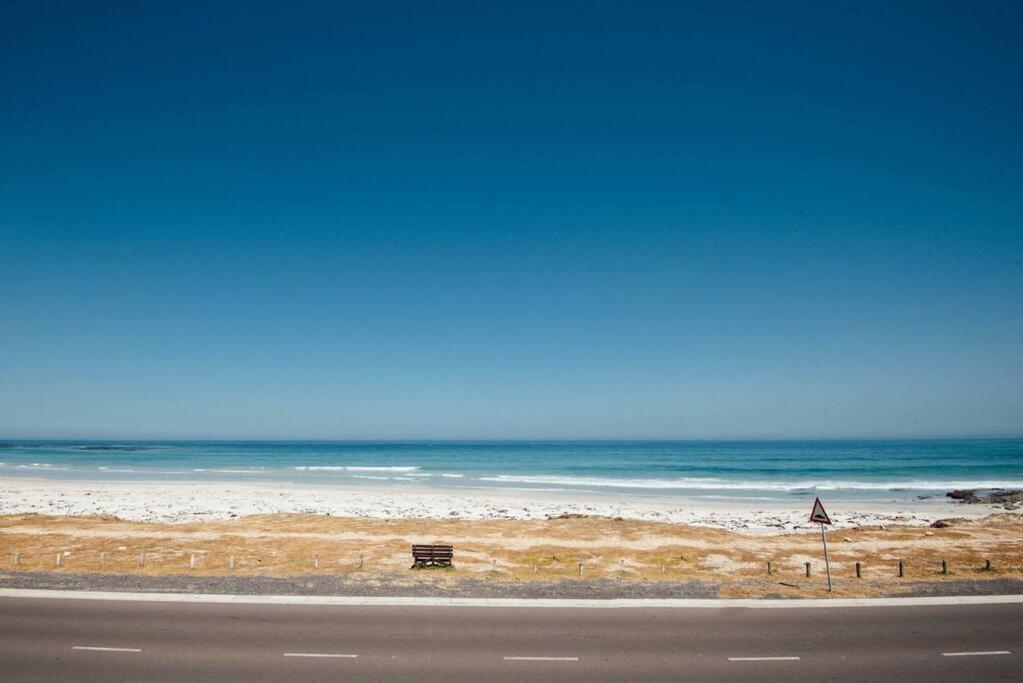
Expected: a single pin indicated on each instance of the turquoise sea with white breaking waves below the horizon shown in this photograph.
(866, 470)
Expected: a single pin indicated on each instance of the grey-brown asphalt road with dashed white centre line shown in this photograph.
(51, 640)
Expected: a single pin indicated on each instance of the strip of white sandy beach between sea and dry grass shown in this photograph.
(179, 503)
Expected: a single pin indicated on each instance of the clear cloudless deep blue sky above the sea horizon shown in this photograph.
(333, 221)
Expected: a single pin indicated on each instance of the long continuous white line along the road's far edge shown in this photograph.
(723, 604)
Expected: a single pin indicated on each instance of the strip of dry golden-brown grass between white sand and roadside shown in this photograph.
(287, 545)
